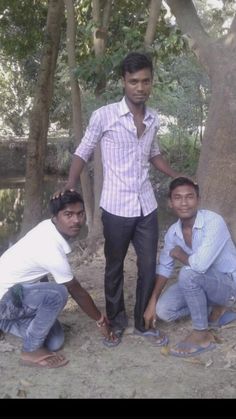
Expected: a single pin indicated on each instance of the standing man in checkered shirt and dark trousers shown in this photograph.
(127, 131)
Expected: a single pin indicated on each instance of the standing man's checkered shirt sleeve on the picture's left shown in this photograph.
(92, 136)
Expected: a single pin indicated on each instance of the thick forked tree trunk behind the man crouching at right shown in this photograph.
(217, 165)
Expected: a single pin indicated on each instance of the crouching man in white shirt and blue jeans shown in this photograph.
(29, 308)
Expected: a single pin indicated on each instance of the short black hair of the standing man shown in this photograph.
(136, 61)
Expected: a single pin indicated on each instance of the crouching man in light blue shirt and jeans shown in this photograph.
(201, 241)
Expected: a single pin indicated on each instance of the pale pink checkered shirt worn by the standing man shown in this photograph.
(126, 186)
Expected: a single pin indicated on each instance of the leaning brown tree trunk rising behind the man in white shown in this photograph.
(39, 118)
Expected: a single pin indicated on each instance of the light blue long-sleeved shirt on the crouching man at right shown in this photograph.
(212, 245)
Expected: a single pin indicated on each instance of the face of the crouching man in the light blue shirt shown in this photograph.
(184, 202)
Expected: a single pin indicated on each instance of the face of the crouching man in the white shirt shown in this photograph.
(70, 220)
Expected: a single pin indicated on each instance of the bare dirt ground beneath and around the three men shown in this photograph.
(133, 370)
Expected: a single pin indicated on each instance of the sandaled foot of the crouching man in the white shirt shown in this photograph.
(43, 358)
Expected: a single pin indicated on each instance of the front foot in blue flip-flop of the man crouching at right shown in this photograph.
(198, 341)
